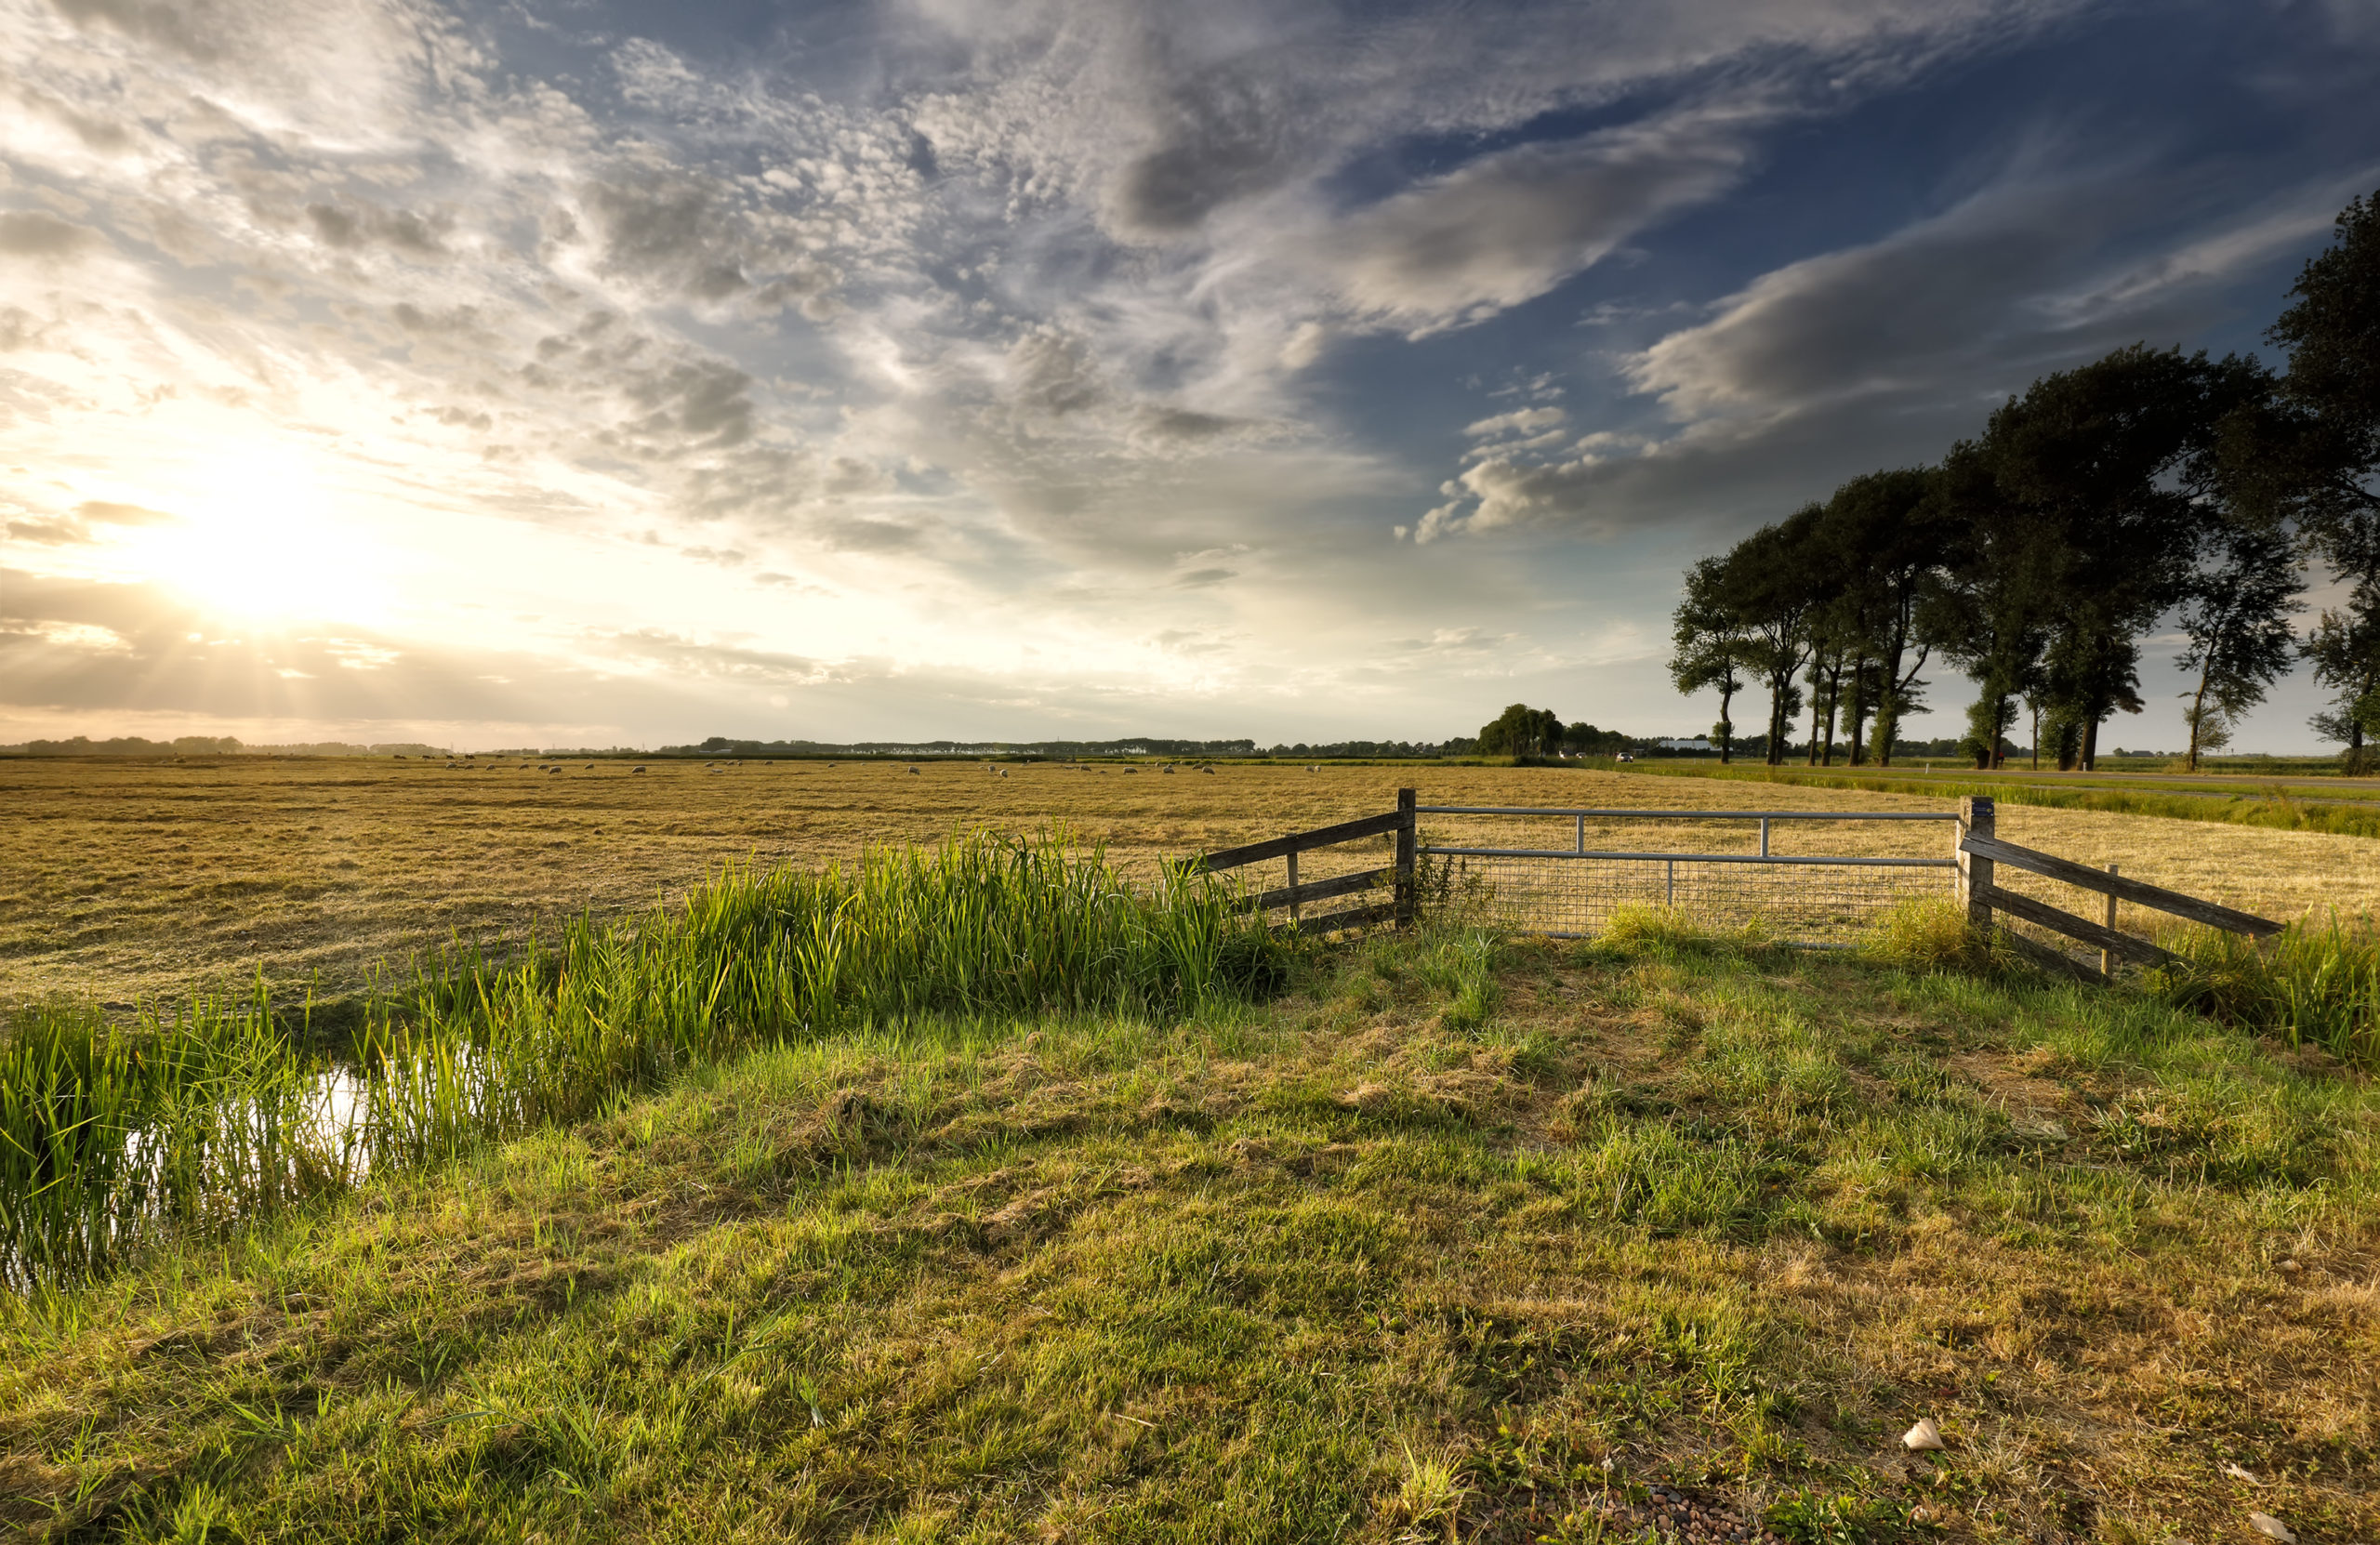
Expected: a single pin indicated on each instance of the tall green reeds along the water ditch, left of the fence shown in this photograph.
(118, 1137)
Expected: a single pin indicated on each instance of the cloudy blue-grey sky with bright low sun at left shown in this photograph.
(618, 373)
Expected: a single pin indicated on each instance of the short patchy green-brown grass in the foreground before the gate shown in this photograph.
(1455, 1241)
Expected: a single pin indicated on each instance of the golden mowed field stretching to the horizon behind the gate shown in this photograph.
(130, 882)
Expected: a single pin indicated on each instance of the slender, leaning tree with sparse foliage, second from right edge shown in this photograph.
(2238, 625)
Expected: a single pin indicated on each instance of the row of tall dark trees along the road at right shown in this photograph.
(2041, 553)
